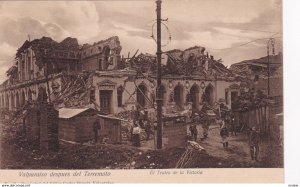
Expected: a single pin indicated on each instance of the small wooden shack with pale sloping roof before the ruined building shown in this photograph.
(76, 125)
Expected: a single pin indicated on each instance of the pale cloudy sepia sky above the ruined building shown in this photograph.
(231, 30)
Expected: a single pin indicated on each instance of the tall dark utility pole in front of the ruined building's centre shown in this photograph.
(158, 88)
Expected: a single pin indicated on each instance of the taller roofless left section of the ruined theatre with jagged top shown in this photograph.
(44, 61)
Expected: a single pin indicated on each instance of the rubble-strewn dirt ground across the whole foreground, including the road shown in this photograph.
(15, 153)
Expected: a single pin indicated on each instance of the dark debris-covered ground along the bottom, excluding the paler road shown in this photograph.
(20, 154)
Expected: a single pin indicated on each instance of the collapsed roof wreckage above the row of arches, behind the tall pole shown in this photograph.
(190, 62)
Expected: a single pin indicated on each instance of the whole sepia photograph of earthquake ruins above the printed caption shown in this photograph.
(156, 84)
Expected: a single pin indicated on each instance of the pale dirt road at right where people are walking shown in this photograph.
(270, 155)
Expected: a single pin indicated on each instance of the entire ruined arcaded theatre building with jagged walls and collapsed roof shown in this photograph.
(95, 76)
